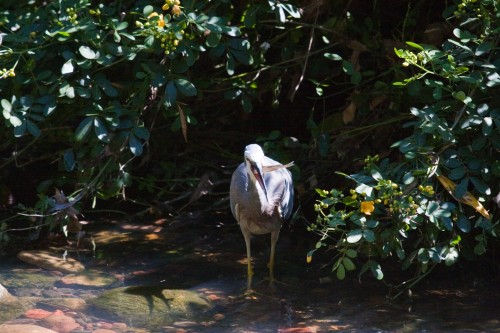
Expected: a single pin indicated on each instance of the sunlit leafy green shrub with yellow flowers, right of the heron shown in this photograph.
(439, 201)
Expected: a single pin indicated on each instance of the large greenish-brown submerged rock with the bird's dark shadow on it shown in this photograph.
(151, 306)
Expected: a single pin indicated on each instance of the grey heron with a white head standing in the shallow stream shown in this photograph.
(260, 210)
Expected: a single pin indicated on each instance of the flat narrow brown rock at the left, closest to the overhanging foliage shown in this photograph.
(48, 260)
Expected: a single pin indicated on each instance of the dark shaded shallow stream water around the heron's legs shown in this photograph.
(208, 256)
